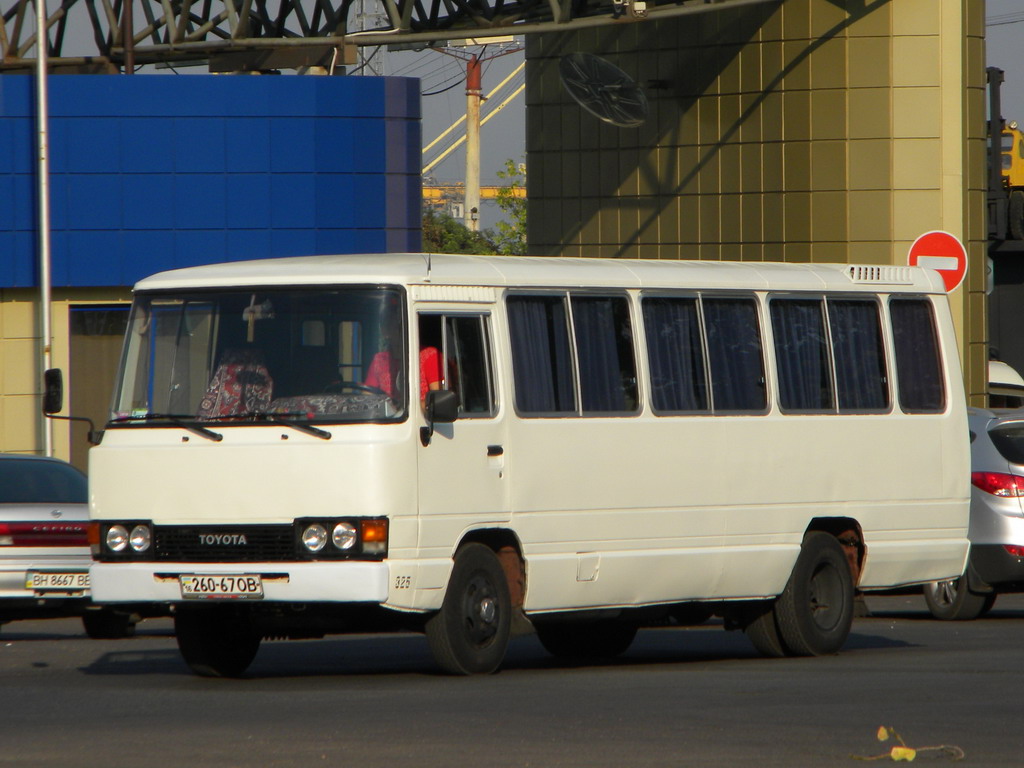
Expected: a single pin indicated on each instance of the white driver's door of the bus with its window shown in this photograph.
(462, 471)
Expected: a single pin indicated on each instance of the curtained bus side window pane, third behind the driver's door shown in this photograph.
(675, 355)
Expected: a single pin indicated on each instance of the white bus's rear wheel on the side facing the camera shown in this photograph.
(816, 612)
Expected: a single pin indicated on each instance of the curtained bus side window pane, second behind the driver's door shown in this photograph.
(605, 354)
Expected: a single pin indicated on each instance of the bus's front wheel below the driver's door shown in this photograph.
(471, 633)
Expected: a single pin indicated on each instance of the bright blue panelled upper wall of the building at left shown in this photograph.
(157, 173)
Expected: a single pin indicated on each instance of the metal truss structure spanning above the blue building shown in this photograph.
(245, 35)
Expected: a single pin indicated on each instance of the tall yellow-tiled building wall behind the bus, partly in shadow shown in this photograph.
(809, 131)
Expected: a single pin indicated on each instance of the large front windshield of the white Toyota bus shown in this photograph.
(251, 355)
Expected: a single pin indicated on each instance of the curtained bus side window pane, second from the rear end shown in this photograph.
(860, 355)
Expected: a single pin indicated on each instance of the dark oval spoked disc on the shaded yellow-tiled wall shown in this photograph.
(604, 90)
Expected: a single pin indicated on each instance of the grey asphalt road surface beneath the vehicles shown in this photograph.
(679, 698)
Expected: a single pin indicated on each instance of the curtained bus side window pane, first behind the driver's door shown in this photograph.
(542, 364)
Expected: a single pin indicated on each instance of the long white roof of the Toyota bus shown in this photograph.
(419, 269)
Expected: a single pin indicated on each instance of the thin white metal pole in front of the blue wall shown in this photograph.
(42, 116)
